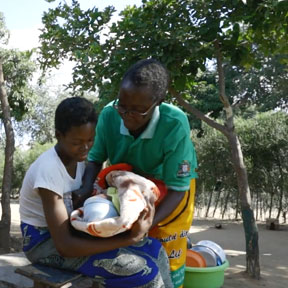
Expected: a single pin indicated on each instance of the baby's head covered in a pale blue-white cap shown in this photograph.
(99, 207)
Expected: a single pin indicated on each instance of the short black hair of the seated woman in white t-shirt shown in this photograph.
(74, 111)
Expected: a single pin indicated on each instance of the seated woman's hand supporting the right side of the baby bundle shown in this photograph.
(141, 227)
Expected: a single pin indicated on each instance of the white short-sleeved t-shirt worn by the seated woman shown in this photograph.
(47, 172)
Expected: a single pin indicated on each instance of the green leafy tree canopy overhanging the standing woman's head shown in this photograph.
(181, 34)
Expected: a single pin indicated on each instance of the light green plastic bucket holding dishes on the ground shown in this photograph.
(206, 277)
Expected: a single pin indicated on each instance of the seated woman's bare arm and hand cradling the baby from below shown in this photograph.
(69, 244)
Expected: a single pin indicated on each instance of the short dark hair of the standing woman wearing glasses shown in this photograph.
(151, 74)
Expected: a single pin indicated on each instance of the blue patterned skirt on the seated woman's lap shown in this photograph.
(143, 265)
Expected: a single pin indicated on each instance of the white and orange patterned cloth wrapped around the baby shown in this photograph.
(134, 192)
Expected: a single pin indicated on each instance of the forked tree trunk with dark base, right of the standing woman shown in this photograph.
(249, 223)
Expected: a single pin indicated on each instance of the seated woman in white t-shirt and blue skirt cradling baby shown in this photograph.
(126, 260)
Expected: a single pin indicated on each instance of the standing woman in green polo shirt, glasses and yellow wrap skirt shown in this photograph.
(138, 128)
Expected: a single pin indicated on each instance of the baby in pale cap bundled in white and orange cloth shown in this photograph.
(134, 192)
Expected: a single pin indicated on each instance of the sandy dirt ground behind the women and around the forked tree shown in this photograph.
(272, 246)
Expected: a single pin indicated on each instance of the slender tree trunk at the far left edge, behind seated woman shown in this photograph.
(8, 166)
